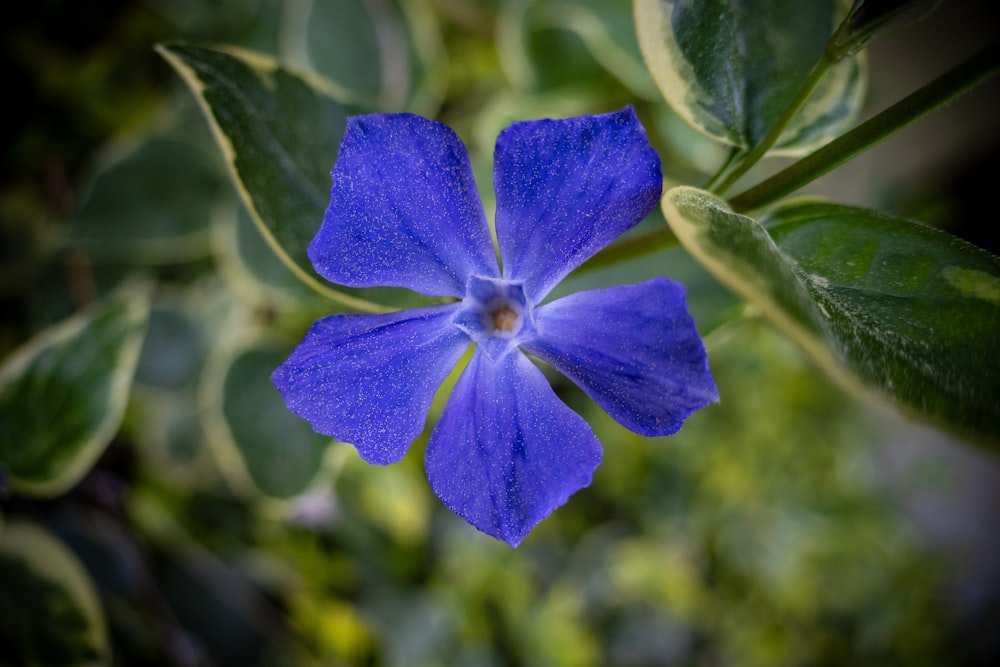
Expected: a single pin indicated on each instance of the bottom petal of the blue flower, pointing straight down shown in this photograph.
(506, 451)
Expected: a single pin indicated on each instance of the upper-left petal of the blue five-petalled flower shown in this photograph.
(404, 210)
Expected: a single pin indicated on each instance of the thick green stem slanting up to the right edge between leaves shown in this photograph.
(915, 106)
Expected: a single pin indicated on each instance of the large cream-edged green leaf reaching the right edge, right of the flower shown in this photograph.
(879, 302)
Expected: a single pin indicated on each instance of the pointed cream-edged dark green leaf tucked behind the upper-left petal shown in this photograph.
(279, 132)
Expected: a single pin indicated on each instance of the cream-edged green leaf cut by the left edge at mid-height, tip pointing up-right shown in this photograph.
(63, 395)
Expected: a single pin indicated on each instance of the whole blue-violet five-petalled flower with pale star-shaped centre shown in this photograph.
(404, 212)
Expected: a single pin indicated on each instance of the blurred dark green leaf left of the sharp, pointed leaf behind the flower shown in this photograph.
(133, 213)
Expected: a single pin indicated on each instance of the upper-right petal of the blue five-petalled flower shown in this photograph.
(567, 188)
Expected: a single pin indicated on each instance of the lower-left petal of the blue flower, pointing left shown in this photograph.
(369, 379)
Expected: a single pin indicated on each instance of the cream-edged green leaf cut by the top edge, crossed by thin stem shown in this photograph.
(731, 67)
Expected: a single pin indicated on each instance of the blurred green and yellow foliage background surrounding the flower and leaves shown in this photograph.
(791, 524)
